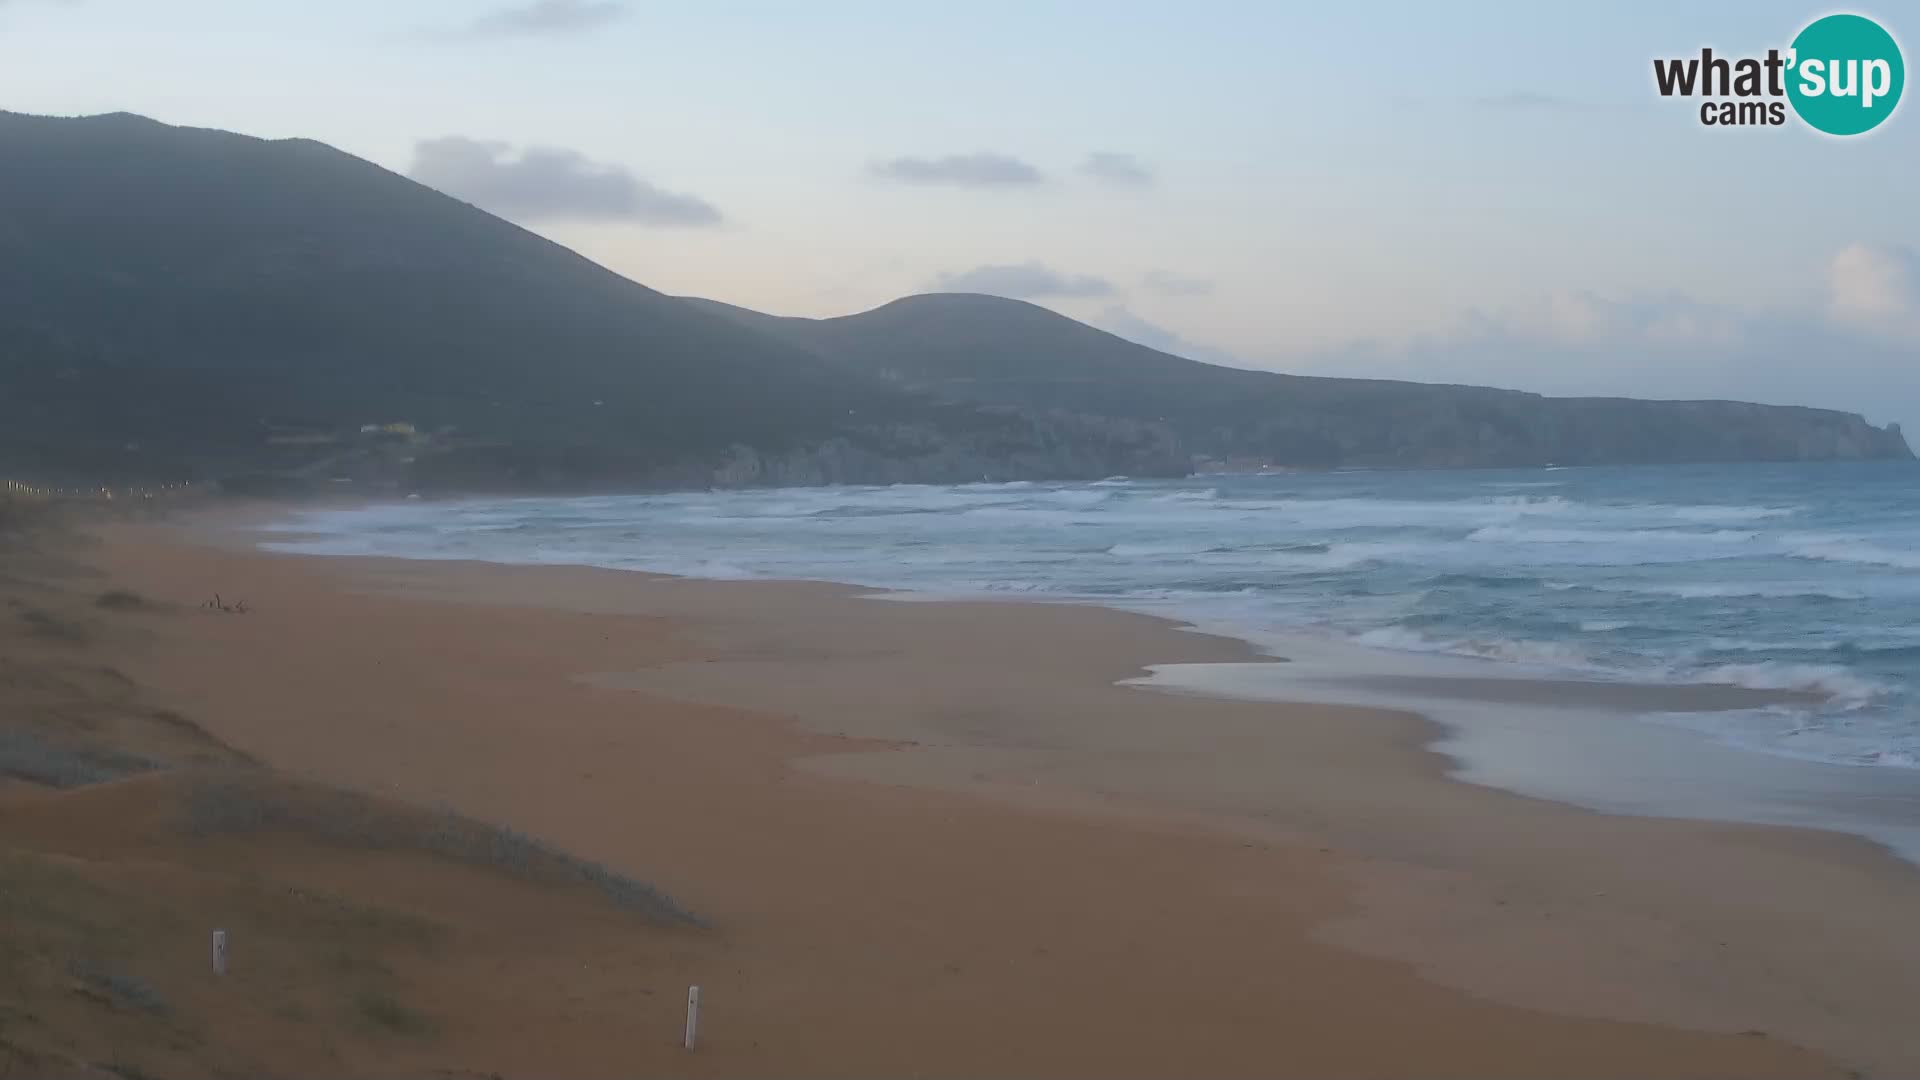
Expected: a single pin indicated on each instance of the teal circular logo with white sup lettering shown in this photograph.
(1846, 74)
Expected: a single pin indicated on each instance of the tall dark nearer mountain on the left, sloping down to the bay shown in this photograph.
(181, 303)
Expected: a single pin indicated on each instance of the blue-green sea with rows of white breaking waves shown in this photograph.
(1777, 577)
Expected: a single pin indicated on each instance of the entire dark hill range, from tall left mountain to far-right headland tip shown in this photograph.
(199, 305)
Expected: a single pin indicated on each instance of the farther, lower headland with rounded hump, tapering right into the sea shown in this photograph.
(984, 349)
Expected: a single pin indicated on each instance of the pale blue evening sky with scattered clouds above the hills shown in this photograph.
(1462, 193)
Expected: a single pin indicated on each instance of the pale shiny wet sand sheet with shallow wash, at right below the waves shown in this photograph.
(1646, 750)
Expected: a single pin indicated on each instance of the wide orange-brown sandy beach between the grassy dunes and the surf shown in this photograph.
(944, 841)
